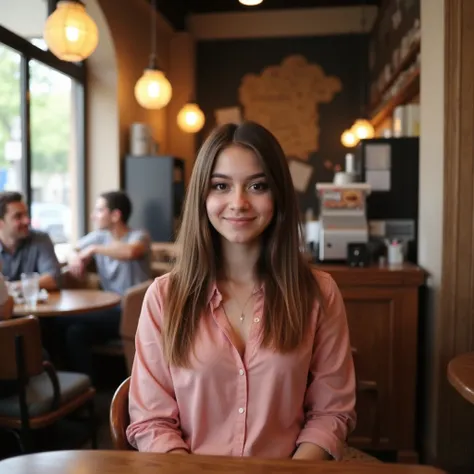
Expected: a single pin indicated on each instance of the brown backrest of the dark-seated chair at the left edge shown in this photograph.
(12, 331)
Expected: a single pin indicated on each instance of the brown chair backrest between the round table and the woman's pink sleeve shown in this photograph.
(131, 308)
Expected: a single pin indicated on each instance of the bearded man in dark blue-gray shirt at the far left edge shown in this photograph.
(23, 250)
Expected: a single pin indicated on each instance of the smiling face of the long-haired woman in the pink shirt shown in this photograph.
(239, 204)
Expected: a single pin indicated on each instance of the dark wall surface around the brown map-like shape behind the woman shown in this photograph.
(222, 64)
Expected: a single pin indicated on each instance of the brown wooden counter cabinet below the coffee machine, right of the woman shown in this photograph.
(382, 311)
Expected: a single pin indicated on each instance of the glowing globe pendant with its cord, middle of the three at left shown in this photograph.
(153, 90)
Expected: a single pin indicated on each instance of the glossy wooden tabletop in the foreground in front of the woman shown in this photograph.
(131, 462)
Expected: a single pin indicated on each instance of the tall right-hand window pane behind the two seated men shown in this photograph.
(53, 153)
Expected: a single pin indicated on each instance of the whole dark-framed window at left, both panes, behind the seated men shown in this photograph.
(42, 139)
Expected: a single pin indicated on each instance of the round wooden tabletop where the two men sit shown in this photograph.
(66, 302)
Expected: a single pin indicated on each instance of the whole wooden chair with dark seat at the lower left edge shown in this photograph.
(42, 396)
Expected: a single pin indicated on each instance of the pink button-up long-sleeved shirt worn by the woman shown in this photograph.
(264, 404)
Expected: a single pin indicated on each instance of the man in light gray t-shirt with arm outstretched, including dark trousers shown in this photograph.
(122, 257)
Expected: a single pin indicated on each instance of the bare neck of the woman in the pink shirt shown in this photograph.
(240, 262)
